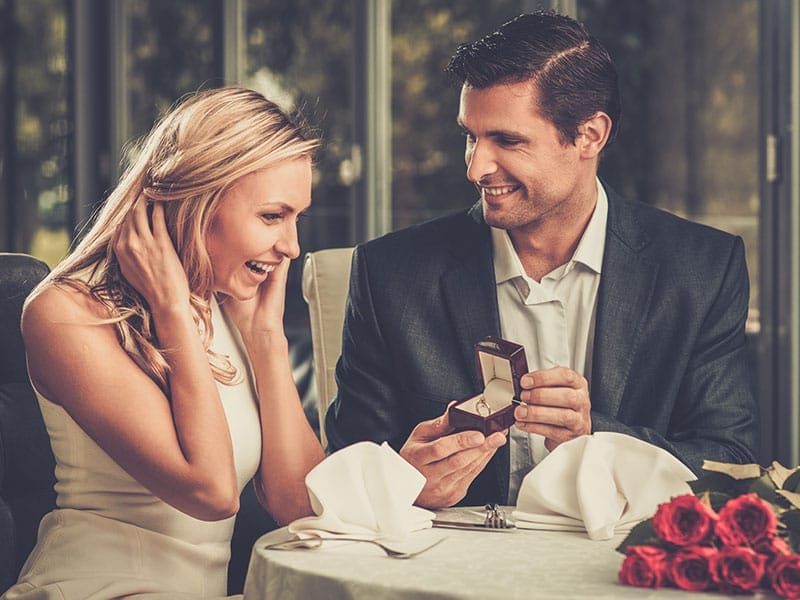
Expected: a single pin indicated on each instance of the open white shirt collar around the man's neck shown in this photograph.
(589, 251)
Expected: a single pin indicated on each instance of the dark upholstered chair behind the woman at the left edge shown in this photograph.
(26, 460)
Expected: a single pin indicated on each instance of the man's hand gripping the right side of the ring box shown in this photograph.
(556, 405)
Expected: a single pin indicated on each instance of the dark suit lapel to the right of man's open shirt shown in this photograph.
(626, 288)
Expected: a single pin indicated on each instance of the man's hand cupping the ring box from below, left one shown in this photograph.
(449, 461)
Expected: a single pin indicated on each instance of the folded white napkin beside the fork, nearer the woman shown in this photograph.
(364, 490)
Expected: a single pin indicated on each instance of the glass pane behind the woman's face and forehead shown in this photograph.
(299, 54)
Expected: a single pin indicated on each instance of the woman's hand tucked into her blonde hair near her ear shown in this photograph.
(148, 260)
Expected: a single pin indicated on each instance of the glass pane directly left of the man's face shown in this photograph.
(428, 176)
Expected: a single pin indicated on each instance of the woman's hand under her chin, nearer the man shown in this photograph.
(261, 317)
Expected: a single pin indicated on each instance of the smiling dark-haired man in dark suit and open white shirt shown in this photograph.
(632, 319)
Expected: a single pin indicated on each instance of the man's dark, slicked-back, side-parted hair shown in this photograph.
(572, 71)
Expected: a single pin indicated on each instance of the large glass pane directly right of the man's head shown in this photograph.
(690, 94)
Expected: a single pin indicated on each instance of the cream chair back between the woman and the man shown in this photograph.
(326, 277)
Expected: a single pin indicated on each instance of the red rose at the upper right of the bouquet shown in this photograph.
(745, 520)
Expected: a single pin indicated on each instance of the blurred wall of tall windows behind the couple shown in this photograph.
(711, 104)
